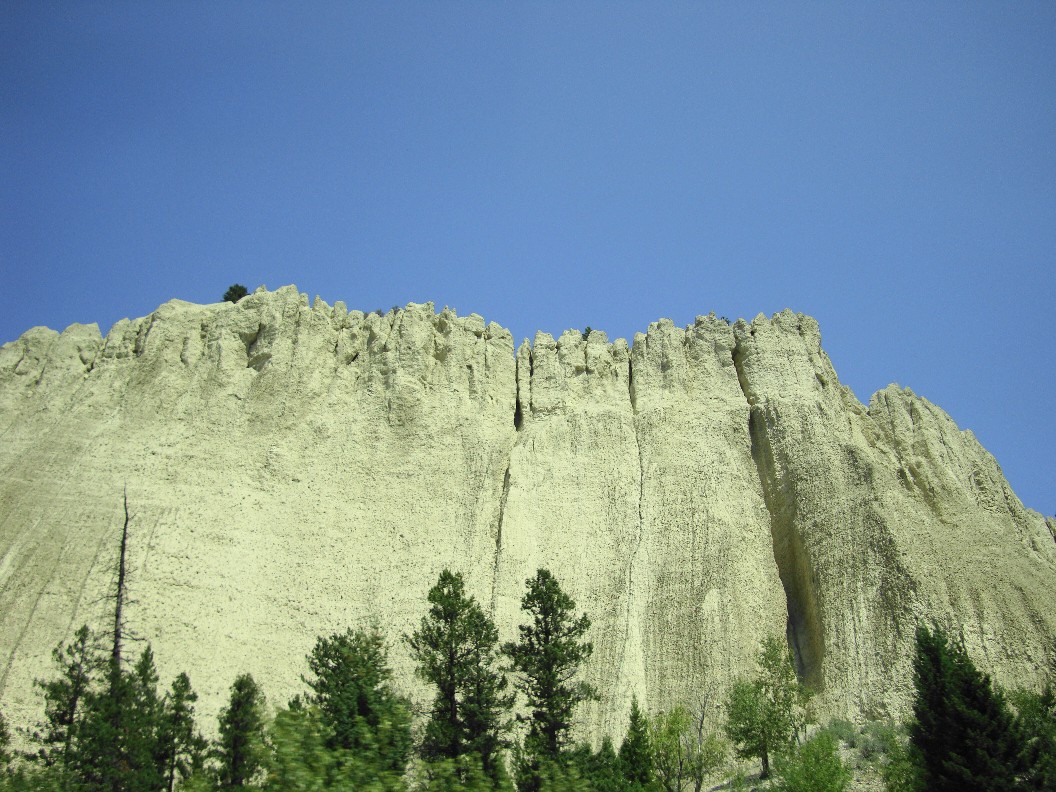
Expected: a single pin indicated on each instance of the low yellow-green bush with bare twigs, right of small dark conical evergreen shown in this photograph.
(684, 751)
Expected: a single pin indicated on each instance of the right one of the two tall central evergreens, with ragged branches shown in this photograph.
(548, 659)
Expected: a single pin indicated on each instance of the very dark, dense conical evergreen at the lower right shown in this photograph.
(964, 734)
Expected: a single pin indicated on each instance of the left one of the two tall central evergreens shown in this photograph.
(456, 650)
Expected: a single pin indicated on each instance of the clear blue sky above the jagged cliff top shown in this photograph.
(889, 168)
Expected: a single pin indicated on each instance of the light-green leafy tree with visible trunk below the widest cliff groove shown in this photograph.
(766, 713)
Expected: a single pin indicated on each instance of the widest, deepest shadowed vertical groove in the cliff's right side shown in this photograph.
(804, 632)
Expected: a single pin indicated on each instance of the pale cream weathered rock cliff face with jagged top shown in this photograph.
(294, 469)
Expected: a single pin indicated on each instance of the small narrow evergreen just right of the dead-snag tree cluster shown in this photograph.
(241, 745)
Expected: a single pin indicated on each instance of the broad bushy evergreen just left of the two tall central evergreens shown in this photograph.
(352, 689)
